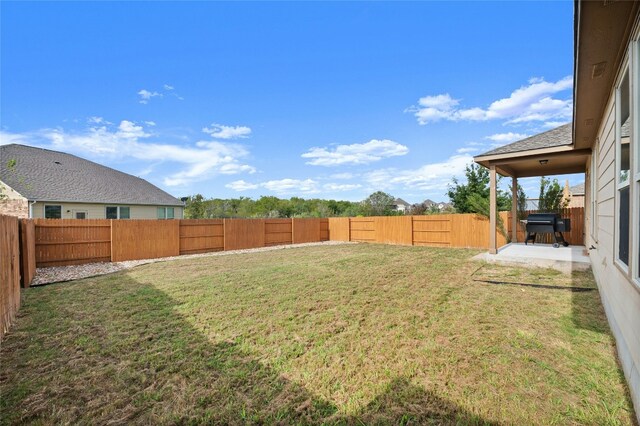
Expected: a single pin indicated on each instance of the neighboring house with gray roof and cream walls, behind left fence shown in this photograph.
(41, 183)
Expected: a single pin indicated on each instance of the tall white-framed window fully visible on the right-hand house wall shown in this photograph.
(624, 133)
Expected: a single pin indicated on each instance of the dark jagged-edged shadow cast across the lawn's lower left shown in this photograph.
(113, 350)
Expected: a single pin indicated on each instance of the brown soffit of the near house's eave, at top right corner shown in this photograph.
(602, 31)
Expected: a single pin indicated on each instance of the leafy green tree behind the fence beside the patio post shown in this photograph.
(477, 185)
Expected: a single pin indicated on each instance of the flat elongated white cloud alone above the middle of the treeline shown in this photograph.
(363, 153)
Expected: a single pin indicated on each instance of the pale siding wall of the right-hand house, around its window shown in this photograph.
(620, 296)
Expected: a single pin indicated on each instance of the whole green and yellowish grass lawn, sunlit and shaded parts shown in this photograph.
(348, 334)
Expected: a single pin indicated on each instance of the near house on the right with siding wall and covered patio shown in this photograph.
(603, 142)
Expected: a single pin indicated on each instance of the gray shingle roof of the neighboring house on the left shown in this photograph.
(45, 175)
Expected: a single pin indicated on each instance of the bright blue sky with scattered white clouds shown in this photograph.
(330, 100)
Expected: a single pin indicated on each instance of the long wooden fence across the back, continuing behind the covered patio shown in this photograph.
(58, 242)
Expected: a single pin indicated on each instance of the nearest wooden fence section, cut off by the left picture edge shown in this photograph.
(9, 271)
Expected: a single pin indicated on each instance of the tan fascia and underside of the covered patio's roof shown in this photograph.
(538, 162)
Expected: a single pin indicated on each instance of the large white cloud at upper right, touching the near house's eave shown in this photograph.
(532, 102)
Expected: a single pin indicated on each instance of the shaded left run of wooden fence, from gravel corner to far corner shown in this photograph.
(59, 242)
